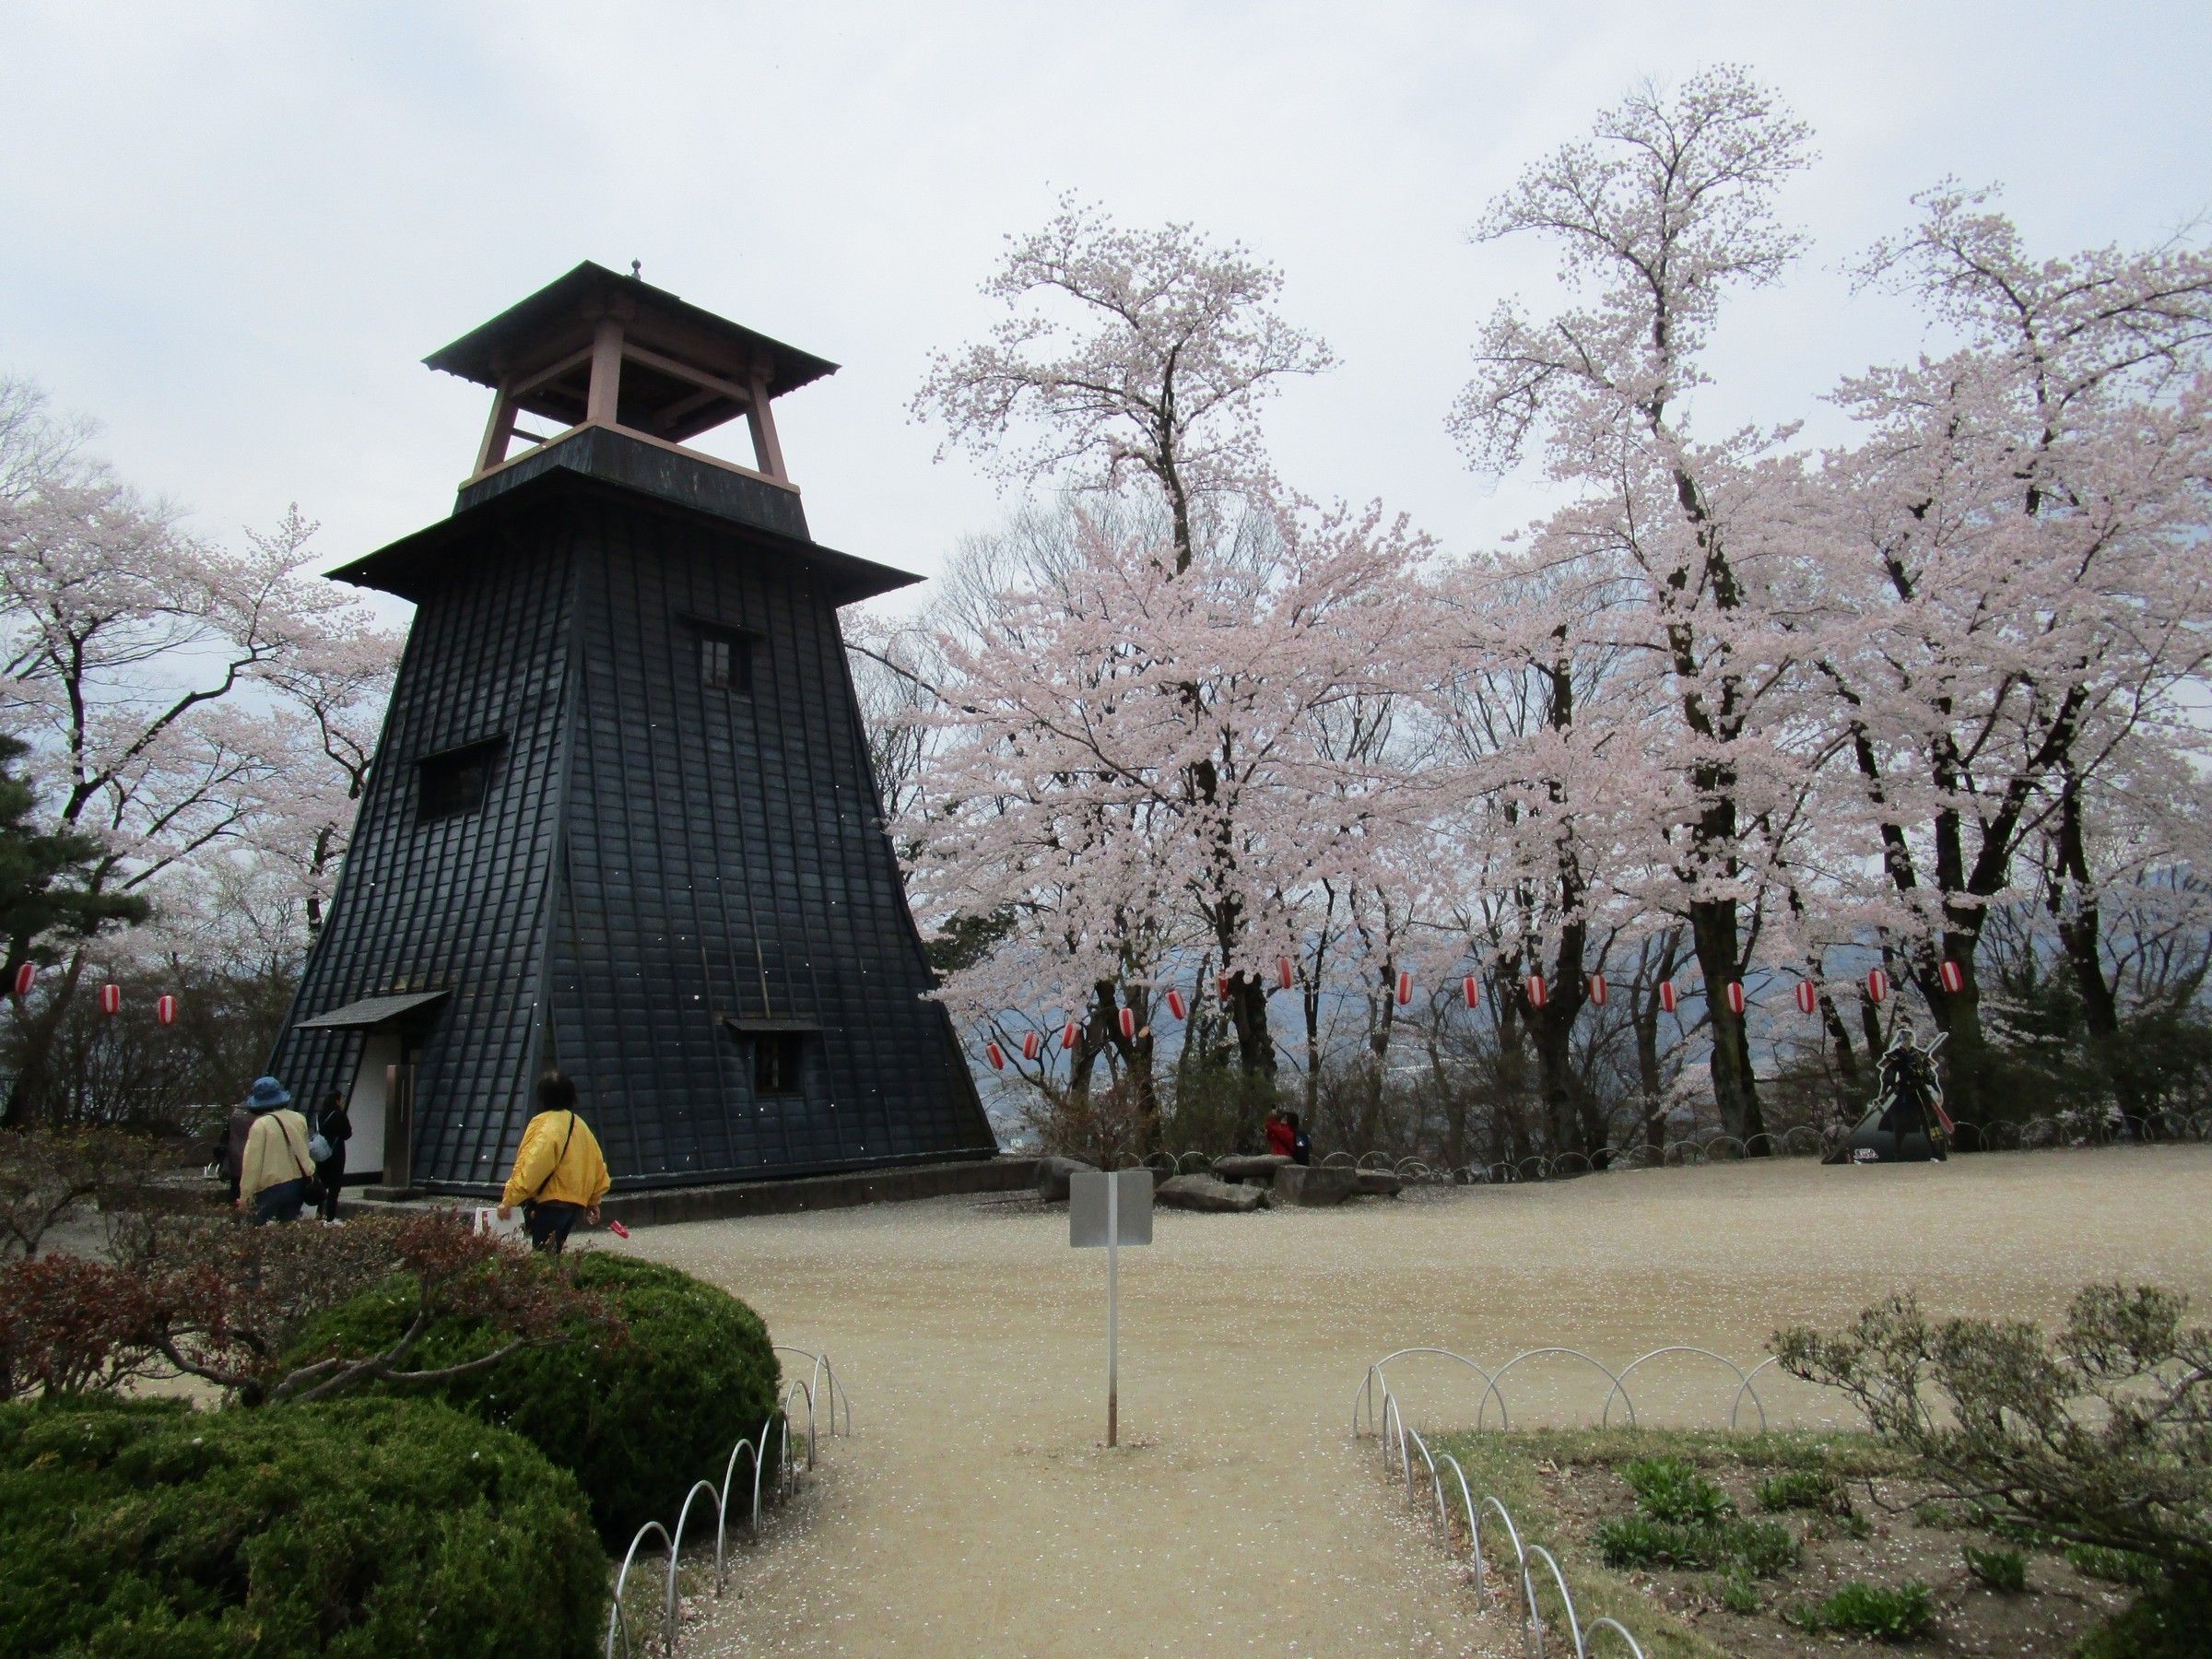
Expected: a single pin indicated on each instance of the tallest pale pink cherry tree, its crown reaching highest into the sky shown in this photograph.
(1665, 211)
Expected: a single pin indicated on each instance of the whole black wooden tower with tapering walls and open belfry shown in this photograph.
(623, 815)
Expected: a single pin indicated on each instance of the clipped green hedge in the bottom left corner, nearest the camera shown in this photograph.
(357, 1530)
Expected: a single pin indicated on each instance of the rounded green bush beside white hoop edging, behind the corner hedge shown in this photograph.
(638, 1419)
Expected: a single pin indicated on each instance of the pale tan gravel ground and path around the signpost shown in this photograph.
(979, 1512)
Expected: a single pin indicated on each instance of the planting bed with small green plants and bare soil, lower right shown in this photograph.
(1771, 1545)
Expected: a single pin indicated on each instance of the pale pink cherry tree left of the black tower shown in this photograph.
(154, 678)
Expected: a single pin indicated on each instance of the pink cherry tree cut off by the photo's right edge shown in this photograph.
(2023, 561)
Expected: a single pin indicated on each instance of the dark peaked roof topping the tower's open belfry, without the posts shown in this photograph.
(543, 348)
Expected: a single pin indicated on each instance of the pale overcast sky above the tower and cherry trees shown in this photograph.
(233, 231)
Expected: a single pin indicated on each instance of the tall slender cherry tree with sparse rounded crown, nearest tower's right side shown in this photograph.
(1142, 357)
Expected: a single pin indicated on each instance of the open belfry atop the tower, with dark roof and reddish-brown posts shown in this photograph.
(607, 351)
